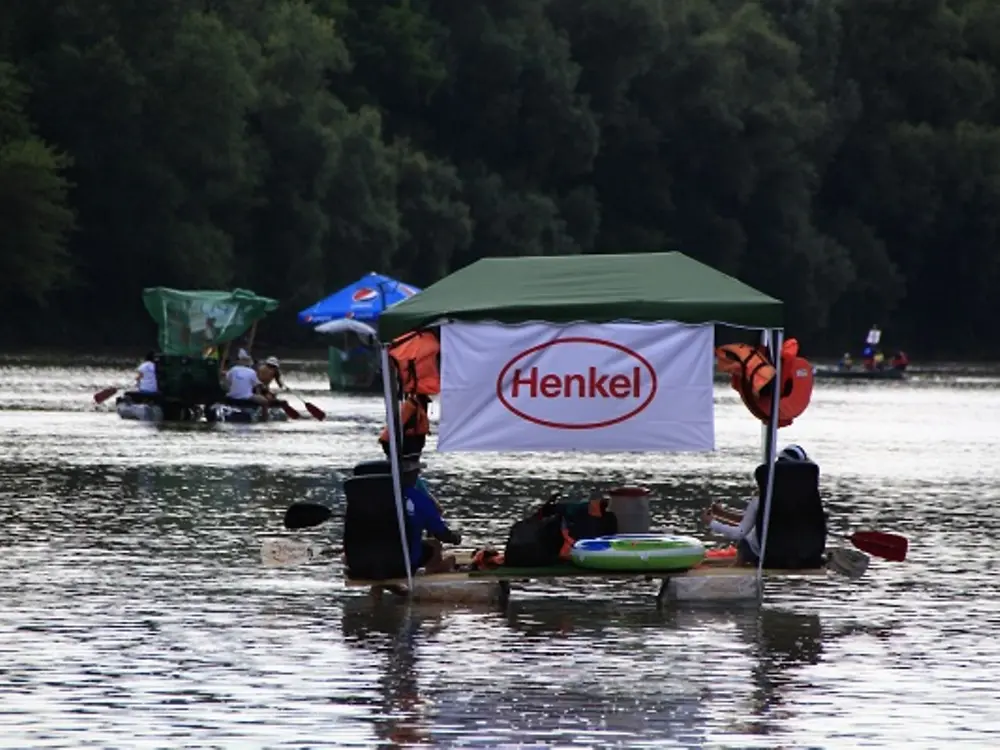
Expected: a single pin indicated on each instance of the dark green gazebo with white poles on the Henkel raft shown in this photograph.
(639, 287)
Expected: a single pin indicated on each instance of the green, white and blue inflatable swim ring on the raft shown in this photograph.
(660, 552)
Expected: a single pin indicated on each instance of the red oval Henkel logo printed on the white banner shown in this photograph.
(577, 395)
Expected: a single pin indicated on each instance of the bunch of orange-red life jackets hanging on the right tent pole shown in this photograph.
(752, 376)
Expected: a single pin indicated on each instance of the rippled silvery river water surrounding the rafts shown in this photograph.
(135, 611)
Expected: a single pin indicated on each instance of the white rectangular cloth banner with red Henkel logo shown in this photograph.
(608, 388)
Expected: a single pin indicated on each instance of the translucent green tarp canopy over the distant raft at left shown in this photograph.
(190, 322)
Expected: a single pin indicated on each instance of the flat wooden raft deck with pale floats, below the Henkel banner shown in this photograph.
(719, 582)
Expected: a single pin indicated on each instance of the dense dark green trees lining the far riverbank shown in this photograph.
(841, 154)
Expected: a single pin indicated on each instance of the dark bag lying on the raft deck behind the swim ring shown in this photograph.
(545, 537)
